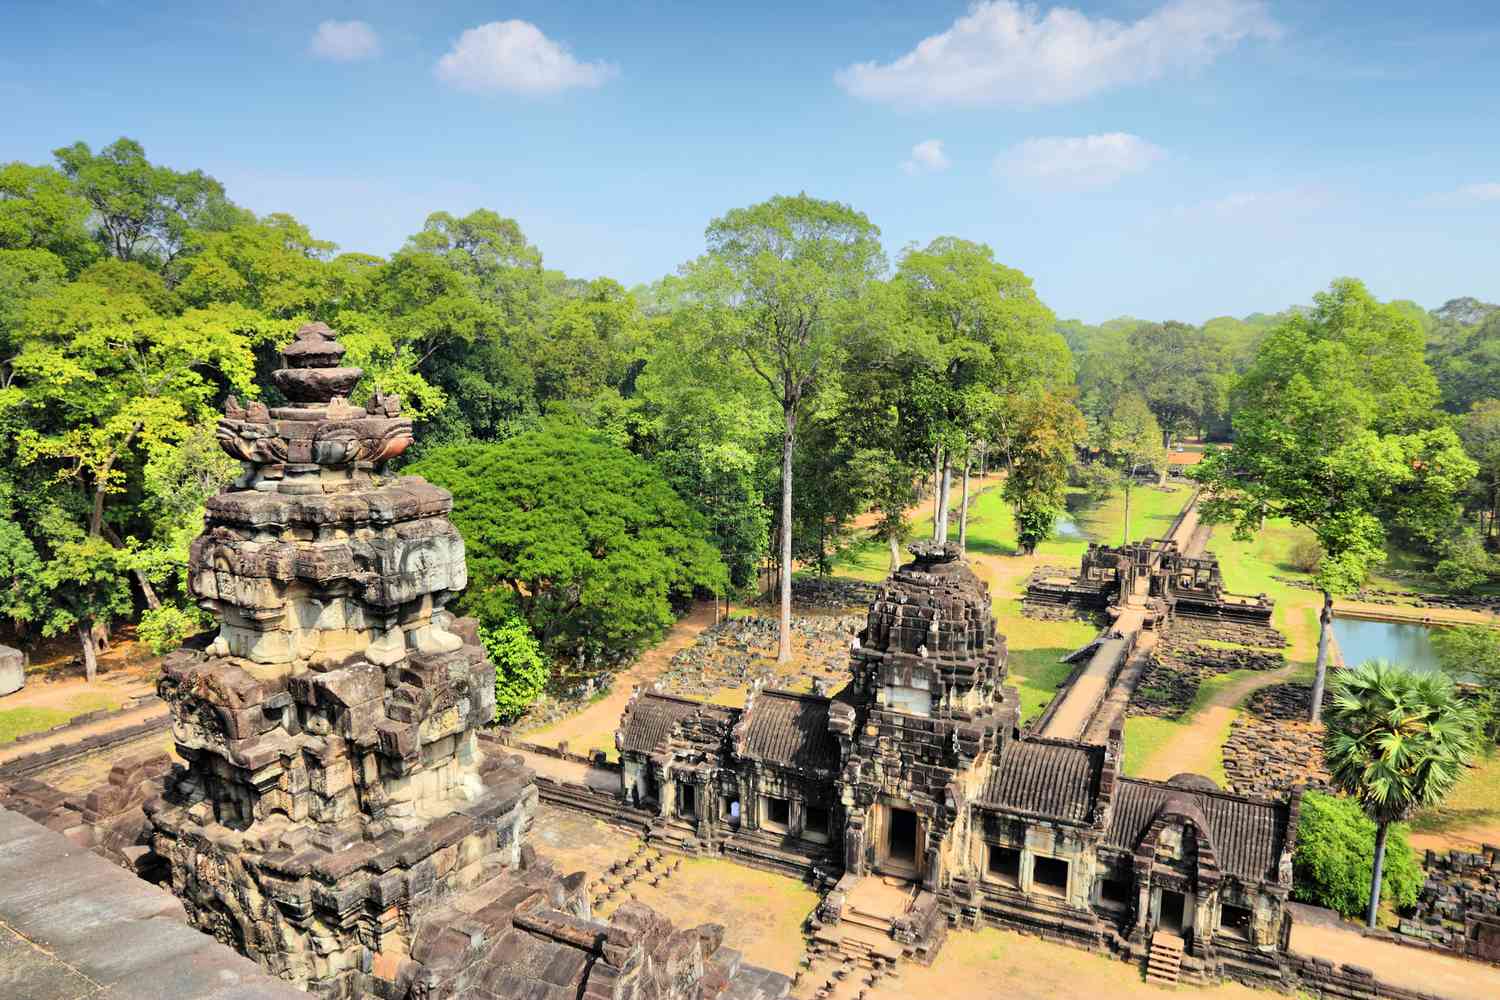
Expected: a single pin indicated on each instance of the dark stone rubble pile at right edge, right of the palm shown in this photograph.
(1459, 908)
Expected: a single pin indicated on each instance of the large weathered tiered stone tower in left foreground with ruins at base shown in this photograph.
(338, 819)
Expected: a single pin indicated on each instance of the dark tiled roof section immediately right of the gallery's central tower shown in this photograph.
(1045, 777)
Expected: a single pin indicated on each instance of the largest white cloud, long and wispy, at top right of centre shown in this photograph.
(1015, 55)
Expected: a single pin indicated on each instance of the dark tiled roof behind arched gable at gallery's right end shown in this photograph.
(1247, 834)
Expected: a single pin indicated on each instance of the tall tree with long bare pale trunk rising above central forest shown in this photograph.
(781, 281)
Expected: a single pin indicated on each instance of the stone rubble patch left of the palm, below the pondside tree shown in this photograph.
(1273, 747)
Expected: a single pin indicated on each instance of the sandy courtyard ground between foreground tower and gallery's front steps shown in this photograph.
(763, 914)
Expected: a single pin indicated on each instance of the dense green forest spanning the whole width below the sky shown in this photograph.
(790, 376)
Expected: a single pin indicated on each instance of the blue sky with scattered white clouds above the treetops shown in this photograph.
(1165, 160)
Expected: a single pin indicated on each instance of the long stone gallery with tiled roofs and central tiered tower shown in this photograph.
(917, 777)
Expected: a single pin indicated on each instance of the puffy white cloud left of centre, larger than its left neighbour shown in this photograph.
(517, 58)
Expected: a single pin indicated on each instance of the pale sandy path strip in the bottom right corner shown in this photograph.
(1399, 965)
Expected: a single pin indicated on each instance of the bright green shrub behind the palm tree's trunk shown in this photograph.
(1336, 855)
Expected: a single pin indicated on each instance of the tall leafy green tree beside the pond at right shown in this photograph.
(1336, 430)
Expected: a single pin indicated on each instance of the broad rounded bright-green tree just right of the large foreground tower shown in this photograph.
(578, 537)
